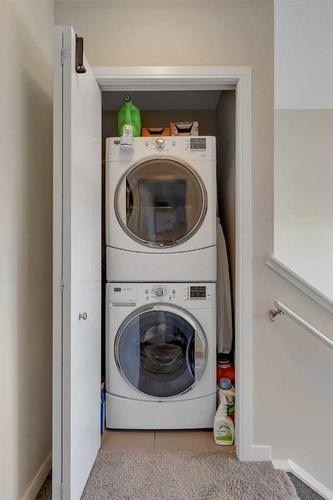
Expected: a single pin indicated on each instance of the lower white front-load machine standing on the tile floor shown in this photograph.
(160, 355)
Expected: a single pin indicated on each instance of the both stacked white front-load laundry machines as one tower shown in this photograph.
(161, 283)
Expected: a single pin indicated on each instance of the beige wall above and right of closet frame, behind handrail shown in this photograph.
(293, 373)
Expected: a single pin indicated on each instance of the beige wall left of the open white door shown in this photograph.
(26, 241)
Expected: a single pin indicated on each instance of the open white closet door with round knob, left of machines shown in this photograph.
(77, 270)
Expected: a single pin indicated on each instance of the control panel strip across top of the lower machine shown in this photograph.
(187, 295)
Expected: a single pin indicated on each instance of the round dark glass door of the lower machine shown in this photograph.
(161, 351)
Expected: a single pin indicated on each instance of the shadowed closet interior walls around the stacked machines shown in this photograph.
(215, 112)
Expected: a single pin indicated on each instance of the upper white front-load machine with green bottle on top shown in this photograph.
(161, 209)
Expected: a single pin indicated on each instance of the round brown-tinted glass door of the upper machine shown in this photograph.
(160, 202)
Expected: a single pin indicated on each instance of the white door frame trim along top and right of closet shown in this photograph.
(209, 78)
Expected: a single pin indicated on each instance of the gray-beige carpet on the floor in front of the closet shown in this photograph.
(181, 476)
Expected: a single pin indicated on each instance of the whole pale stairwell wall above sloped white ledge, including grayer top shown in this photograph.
(303, 139)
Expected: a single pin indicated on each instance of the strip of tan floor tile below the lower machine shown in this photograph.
(183, 440)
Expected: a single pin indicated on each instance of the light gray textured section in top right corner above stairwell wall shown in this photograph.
(303, 54)
